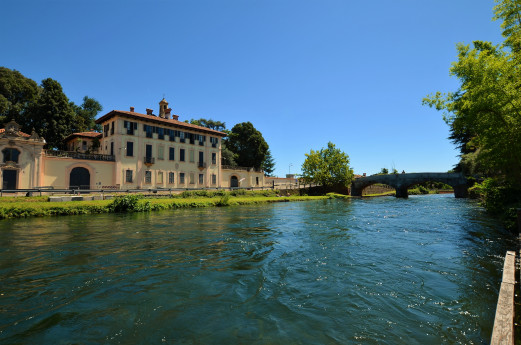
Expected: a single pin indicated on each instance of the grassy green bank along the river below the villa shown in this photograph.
(18, 207)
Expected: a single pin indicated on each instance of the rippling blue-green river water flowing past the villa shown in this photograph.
(425, 270)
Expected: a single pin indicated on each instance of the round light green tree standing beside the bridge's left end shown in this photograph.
(328, 167)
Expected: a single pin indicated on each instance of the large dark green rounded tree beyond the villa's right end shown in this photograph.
(248, 145)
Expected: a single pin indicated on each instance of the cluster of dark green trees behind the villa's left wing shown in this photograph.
(44, 108)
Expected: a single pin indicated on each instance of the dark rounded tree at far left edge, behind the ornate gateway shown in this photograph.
(17, 93)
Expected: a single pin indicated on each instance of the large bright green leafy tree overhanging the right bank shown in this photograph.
(484, 114)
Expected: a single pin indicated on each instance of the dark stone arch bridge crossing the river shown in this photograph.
(401, 182)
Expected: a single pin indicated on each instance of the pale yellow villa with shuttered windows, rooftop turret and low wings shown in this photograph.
(134, 151)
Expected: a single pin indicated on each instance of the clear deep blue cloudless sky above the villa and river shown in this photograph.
(303, 72)
